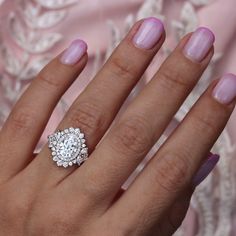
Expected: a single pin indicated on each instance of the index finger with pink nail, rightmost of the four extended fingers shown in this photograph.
(175, 164)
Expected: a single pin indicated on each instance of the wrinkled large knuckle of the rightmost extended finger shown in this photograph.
(172, 172)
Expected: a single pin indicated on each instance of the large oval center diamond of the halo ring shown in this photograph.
(68, 146)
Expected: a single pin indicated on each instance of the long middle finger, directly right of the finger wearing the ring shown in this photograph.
(143, 122)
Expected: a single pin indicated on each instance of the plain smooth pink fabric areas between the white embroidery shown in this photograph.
(88, 20)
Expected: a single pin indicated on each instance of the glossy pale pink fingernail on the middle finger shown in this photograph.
(199, 44)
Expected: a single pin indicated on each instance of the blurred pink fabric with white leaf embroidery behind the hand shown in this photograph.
(34, 31)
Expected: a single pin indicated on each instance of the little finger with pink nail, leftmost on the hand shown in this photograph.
(30, 115)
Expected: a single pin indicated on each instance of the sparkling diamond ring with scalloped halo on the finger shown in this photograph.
(68, 147)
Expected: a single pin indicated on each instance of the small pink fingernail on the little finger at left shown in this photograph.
(74, 52)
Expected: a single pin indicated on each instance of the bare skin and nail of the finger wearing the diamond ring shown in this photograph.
(94, 110)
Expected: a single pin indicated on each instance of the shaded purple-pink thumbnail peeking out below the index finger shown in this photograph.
(206, 169)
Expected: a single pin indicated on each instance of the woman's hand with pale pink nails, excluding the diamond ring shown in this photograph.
(39, 198)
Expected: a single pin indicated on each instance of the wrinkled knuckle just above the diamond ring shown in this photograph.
(88, 116)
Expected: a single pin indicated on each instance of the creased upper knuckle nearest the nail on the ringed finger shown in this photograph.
(122, 68)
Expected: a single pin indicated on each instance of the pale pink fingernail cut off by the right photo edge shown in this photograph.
(225, 90)
